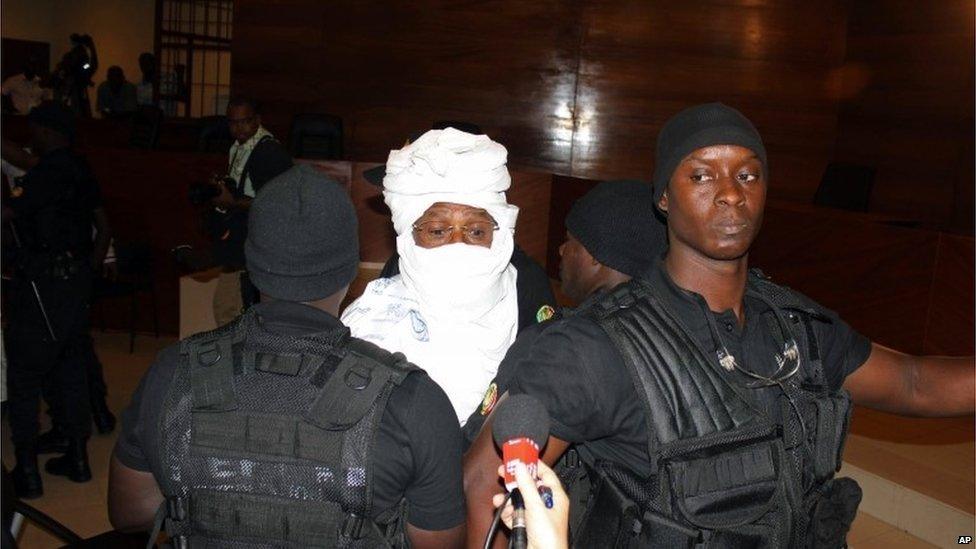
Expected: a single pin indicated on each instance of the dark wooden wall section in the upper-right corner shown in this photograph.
(908, 107)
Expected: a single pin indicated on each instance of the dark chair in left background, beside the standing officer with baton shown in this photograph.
(135, 276)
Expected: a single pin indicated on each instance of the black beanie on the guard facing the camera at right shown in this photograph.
(697, 127)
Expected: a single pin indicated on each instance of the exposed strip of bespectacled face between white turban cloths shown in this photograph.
(449, 223)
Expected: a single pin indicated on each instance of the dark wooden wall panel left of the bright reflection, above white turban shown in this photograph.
(390, 70)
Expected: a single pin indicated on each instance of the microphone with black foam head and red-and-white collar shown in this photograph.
(520, 427)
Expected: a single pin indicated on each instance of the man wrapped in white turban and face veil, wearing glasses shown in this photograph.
(453, 309)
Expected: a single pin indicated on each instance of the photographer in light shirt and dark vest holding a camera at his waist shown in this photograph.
(255, 158)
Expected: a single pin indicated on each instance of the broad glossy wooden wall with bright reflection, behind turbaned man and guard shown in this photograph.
(570, 87)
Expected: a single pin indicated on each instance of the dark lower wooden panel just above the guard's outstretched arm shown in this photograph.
(877, 277)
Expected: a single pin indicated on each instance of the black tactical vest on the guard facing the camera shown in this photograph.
(723, 474)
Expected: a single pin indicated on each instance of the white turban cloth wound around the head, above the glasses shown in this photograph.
(448, 166)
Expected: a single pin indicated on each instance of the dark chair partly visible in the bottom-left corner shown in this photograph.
(14, 512)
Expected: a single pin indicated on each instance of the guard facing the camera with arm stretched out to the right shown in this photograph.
(706, 405)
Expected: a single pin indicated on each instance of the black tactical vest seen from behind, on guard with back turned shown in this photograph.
(268, 439)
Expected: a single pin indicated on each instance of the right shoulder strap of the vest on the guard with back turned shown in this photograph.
(365, 374)
